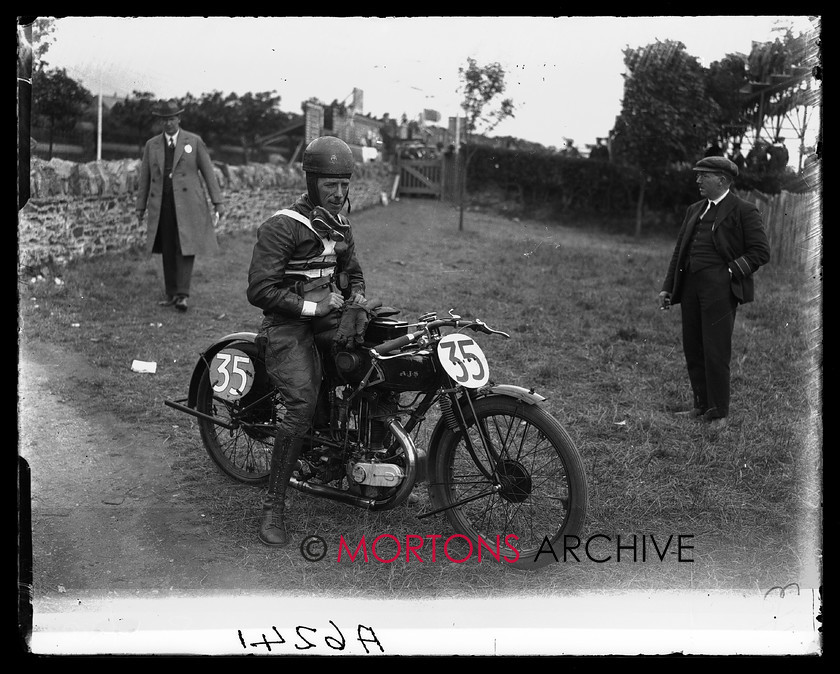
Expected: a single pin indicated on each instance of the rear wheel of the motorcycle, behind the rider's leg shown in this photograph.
(242, 452)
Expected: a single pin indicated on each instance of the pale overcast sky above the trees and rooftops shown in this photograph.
(563, 74)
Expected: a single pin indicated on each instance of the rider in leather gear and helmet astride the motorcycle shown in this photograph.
(303, 271)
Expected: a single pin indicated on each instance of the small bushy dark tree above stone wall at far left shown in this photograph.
(58, 101)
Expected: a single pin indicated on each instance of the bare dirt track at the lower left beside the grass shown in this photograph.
(107, 514)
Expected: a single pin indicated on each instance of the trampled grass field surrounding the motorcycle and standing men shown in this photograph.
(581, 308)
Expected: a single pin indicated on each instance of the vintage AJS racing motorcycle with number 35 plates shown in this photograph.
(500, 467)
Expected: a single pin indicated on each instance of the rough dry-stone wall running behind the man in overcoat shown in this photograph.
(78, 211)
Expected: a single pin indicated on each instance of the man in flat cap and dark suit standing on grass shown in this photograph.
(721, 244)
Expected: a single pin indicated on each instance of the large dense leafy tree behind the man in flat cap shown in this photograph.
(667, 116)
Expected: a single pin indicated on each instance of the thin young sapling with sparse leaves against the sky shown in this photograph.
(480, 86)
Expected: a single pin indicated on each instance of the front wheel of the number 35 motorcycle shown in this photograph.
(514, 493)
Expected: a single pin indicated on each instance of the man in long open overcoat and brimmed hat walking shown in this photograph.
(180, 225)
